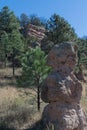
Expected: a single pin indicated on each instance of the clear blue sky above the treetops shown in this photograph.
(74, 11)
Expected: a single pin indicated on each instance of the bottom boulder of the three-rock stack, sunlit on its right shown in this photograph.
(64, 116)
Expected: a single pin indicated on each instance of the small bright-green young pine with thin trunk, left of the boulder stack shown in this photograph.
(34, 69)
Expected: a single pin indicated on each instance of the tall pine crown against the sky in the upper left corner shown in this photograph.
(8, 20)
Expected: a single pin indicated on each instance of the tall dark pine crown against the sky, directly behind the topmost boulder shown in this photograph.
(59, 30)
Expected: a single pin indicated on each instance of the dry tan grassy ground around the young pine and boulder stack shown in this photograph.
(18, 107)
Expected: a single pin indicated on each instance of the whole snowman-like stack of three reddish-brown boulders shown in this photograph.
(62, 91)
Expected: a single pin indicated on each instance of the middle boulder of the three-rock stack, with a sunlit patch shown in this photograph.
(58, 87)
